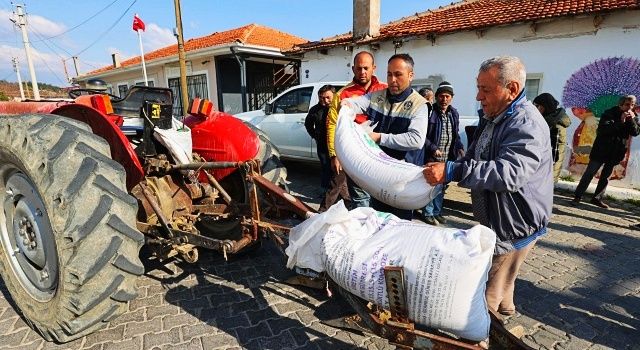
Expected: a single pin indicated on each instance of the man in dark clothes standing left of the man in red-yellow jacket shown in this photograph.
(316, 125)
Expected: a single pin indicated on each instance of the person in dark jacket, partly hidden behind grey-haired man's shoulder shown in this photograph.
(558, 122)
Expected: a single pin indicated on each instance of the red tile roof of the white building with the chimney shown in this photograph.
(478, 14)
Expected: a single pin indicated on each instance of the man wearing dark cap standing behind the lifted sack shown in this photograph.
(442, 144)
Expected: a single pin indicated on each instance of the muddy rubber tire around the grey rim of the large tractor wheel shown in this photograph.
(96, 240)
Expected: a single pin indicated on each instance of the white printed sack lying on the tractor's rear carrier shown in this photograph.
(445, 269)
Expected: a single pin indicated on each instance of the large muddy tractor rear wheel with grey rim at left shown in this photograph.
(70, 249)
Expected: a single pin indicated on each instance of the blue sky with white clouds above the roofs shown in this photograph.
(94, 29)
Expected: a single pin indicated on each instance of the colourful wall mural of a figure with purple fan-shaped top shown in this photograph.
(589, 92)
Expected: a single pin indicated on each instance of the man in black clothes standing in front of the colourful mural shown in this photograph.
(609, 147)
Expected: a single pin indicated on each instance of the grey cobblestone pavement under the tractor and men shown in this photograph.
(579, 289)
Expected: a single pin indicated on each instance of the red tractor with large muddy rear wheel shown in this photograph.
(84, 183)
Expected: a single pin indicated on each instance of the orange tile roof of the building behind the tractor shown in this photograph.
(253, 34)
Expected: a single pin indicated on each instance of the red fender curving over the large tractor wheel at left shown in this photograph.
(101, 125)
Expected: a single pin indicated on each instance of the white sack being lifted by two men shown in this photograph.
(394, 182)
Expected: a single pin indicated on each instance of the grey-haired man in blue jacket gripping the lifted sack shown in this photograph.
(508, 168)
